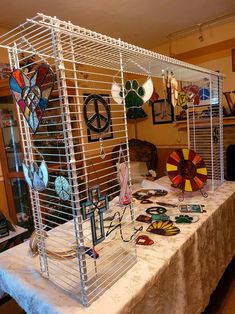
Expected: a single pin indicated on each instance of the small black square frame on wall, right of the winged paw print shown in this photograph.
(162, 112)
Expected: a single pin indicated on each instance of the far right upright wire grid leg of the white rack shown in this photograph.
(205, 129)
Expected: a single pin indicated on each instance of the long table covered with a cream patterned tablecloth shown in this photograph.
(176, 275)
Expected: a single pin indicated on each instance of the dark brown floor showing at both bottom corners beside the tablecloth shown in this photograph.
(222, 300)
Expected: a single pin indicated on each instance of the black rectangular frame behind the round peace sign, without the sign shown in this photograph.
(107, 134)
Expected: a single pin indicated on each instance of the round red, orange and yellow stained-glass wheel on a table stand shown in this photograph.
(186, 170)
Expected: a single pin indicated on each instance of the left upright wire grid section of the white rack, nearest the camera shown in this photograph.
(73, 153)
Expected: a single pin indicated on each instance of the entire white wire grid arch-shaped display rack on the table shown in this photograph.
(86, 62)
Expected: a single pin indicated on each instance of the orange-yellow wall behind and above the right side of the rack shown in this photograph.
(213, 53)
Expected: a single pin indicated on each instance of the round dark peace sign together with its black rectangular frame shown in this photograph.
(98, 113)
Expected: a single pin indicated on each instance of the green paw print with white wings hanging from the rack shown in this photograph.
(135, 96)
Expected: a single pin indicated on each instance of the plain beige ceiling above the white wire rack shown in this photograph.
(145, 23)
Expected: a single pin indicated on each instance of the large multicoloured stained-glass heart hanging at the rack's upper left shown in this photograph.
(32, 94)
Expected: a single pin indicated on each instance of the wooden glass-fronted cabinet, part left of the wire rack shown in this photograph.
(11, 158)
